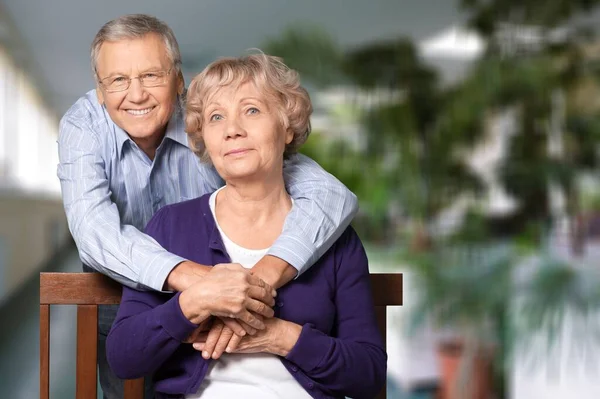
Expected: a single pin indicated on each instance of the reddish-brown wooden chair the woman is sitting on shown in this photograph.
(88, 290)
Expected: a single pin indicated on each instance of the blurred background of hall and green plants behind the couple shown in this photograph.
(469, 130)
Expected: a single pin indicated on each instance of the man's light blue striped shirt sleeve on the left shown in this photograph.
(106, 244)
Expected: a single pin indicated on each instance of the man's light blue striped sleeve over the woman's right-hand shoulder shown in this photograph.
(323, 209)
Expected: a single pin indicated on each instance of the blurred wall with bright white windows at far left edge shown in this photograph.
(32, 222)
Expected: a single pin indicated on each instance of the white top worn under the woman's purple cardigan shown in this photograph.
(248, 376)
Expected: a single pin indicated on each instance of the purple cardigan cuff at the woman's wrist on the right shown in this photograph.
(310, 349)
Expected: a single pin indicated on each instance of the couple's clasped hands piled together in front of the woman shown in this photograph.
(233, 310)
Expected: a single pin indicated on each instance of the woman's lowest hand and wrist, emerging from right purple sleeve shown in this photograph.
(278, 338)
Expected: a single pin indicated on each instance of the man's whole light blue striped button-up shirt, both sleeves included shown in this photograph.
(111, 189)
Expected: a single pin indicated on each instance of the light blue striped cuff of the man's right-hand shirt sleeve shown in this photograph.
(296, 250)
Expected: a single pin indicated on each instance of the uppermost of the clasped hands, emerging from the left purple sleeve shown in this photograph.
(228, 290)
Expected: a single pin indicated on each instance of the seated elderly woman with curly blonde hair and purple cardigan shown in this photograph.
(246, 115)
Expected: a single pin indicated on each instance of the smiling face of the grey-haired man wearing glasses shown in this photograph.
(142, 112)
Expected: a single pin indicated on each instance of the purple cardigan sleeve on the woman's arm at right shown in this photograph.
(353, 361)
